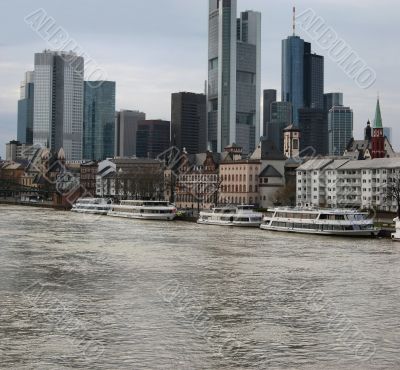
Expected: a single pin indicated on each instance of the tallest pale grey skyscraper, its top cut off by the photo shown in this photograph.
(234, 76)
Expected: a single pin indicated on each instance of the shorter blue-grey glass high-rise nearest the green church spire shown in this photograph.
(340, 129)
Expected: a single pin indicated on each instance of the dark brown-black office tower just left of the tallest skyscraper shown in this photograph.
(188, 122)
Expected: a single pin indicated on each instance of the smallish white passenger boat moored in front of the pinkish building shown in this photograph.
(243, 216)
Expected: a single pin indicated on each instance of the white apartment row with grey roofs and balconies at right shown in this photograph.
(338, 182)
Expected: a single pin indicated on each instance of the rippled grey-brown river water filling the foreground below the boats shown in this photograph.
(87, 292)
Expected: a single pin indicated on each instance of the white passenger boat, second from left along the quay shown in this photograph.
(144, 209)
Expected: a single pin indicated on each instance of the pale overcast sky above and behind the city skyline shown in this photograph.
(154, 48)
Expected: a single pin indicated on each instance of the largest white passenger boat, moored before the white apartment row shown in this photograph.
(344, 222)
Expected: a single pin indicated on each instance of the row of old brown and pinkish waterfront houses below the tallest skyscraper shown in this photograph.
(203, 180)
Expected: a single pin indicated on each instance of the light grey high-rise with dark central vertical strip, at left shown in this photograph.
(58, 102)
